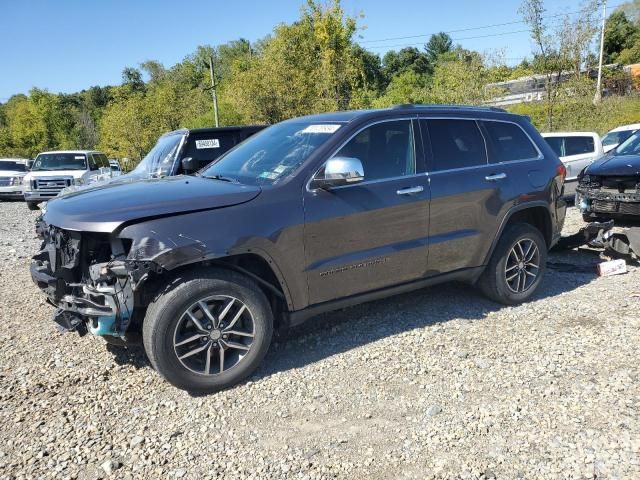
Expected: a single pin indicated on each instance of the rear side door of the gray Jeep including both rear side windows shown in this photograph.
(476, 170)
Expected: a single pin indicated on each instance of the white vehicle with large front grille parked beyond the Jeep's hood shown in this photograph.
(54, 171)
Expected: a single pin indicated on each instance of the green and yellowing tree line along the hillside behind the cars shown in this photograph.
(316, 64)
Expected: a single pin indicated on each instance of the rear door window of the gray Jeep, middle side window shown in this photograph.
(455, 144)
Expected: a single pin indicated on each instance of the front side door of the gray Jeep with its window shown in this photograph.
(372, 234)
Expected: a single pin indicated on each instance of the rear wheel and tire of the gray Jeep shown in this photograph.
(517, 266)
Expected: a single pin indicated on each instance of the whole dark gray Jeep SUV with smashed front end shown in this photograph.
(309, 215)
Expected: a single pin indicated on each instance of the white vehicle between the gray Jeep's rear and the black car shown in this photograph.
(576, 150)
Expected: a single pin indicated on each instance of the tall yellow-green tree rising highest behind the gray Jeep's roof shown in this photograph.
(309, 66)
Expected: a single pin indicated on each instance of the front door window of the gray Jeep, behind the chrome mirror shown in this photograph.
(385, 149)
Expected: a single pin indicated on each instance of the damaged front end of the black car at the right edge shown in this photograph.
(609, 196)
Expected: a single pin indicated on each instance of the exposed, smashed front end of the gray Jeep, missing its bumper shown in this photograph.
(89, 280)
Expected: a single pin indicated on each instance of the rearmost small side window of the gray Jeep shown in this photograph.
(507, 142)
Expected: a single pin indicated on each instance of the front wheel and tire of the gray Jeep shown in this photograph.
(208, 330)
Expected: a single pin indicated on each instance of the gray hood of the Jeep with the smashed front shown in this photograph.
(105, 207)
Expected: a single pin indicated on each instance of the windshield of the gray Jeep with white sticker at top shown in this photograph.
(271, 154)
